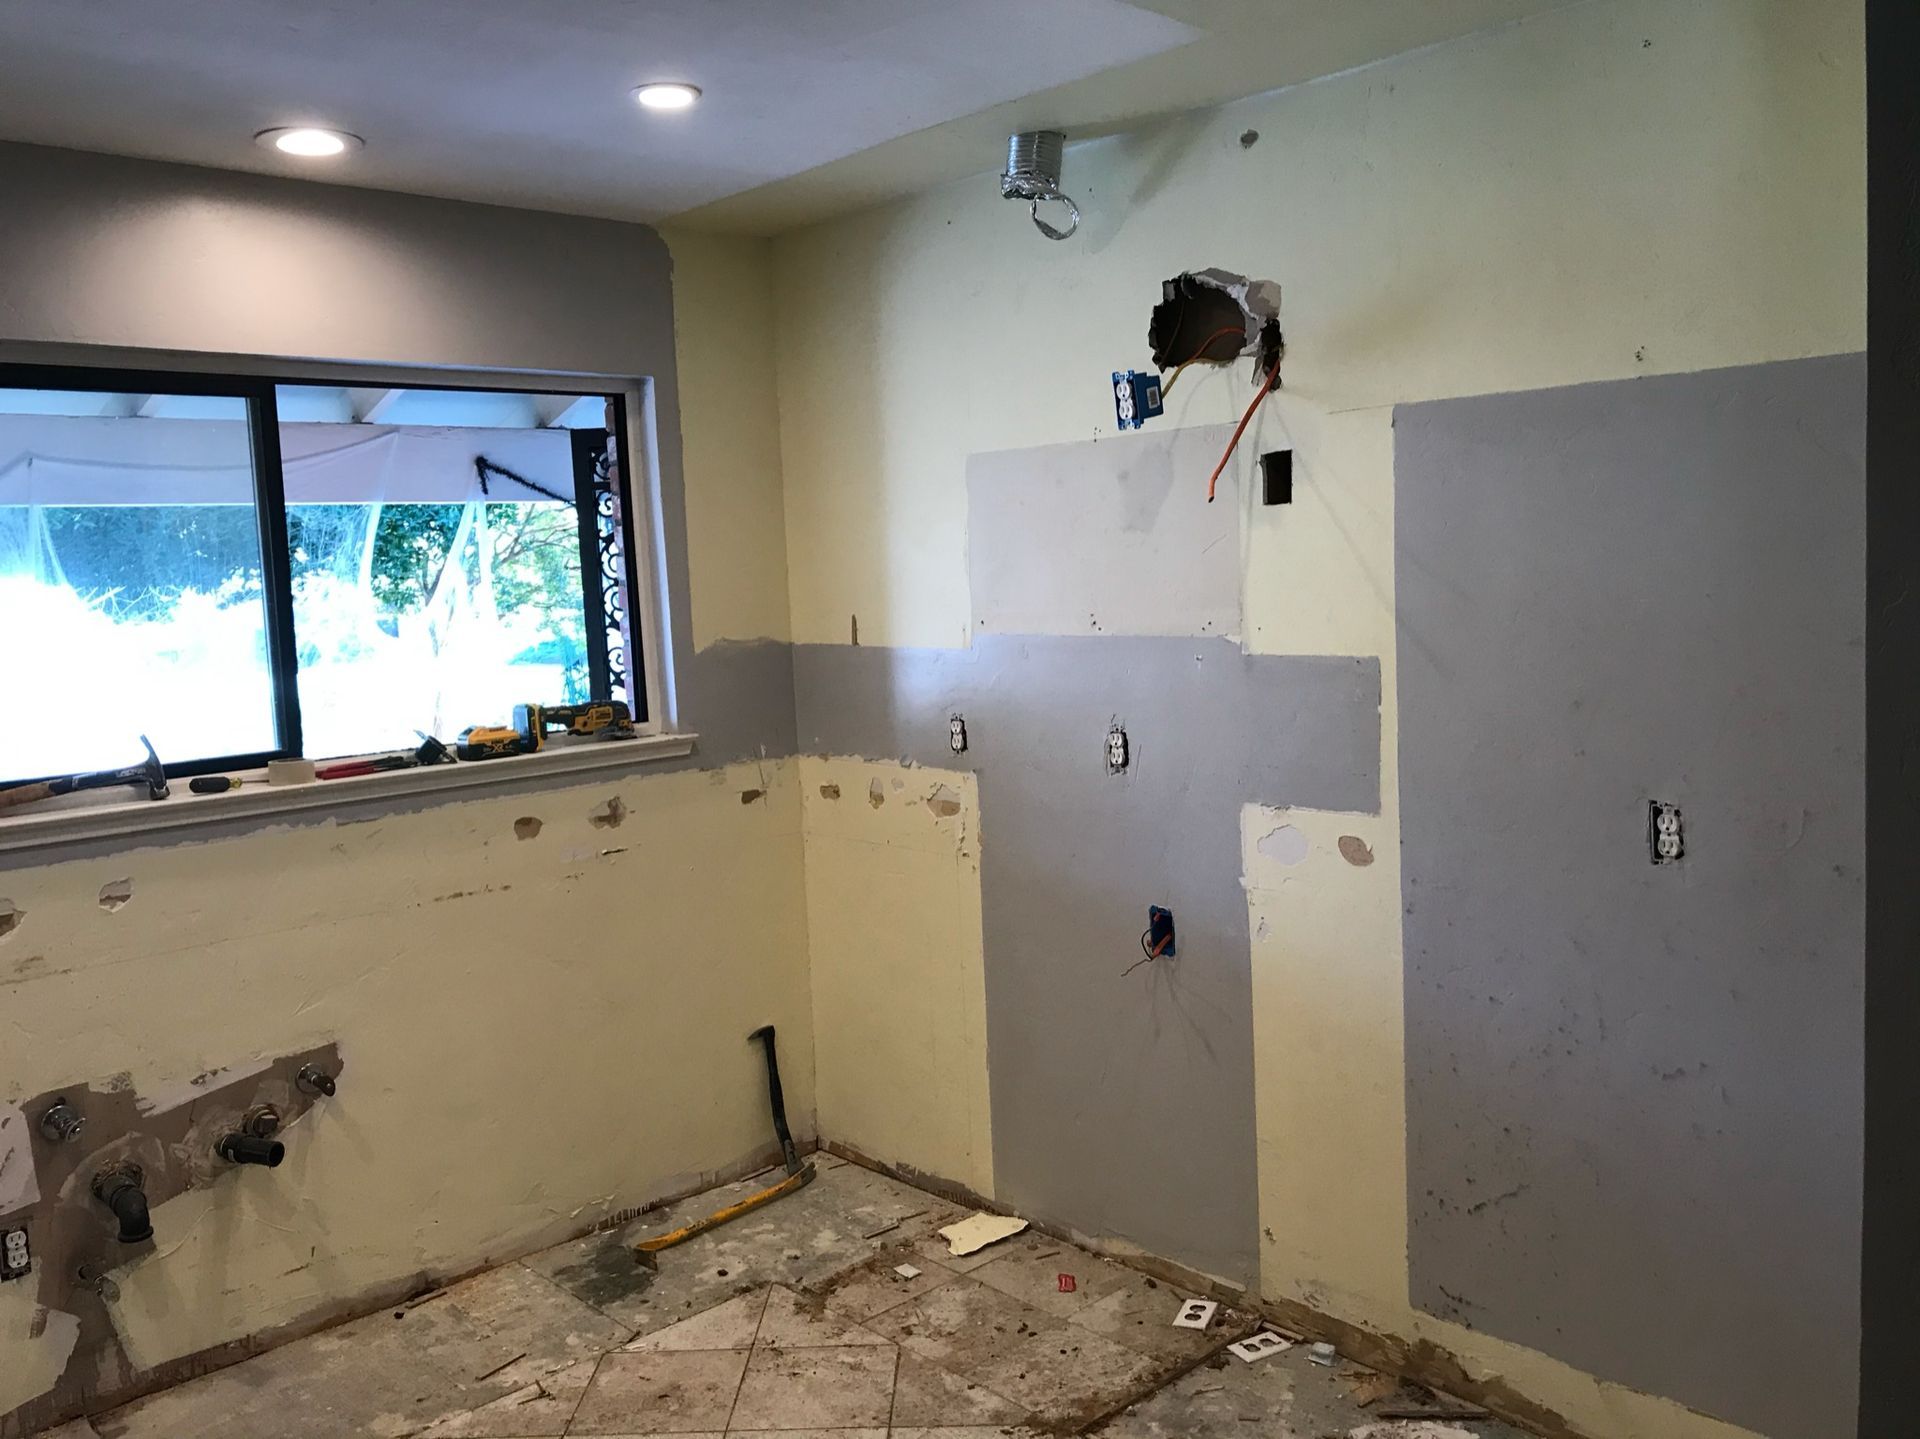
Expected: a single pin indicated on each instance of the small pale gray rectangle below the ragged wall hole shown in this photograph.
(1109, 537)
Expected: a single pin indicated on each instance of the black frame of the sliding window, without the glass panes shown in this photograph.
(260, 391)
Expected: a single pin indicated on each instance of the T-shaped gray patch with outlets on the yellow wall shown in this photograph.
(1120, 1108)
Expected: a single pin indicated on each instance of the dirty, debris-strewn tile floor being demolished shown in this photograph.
(794, 1323)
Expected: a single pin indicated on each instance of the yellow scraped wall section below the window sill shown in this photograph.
(579, 1002)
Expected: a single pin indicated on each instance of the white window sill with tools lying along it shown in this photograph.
(72, 823)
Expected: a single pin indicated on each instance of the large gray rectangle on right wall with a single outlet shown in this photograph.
(1635, 1092)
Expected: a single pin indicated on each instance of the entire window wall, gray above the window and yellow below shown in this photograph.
(537, 973)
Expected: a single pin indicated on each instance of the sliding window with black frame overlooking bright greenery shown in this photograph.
(247, 570)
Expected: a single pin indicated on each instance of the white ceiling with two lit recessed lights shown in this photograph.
(811, 107)
